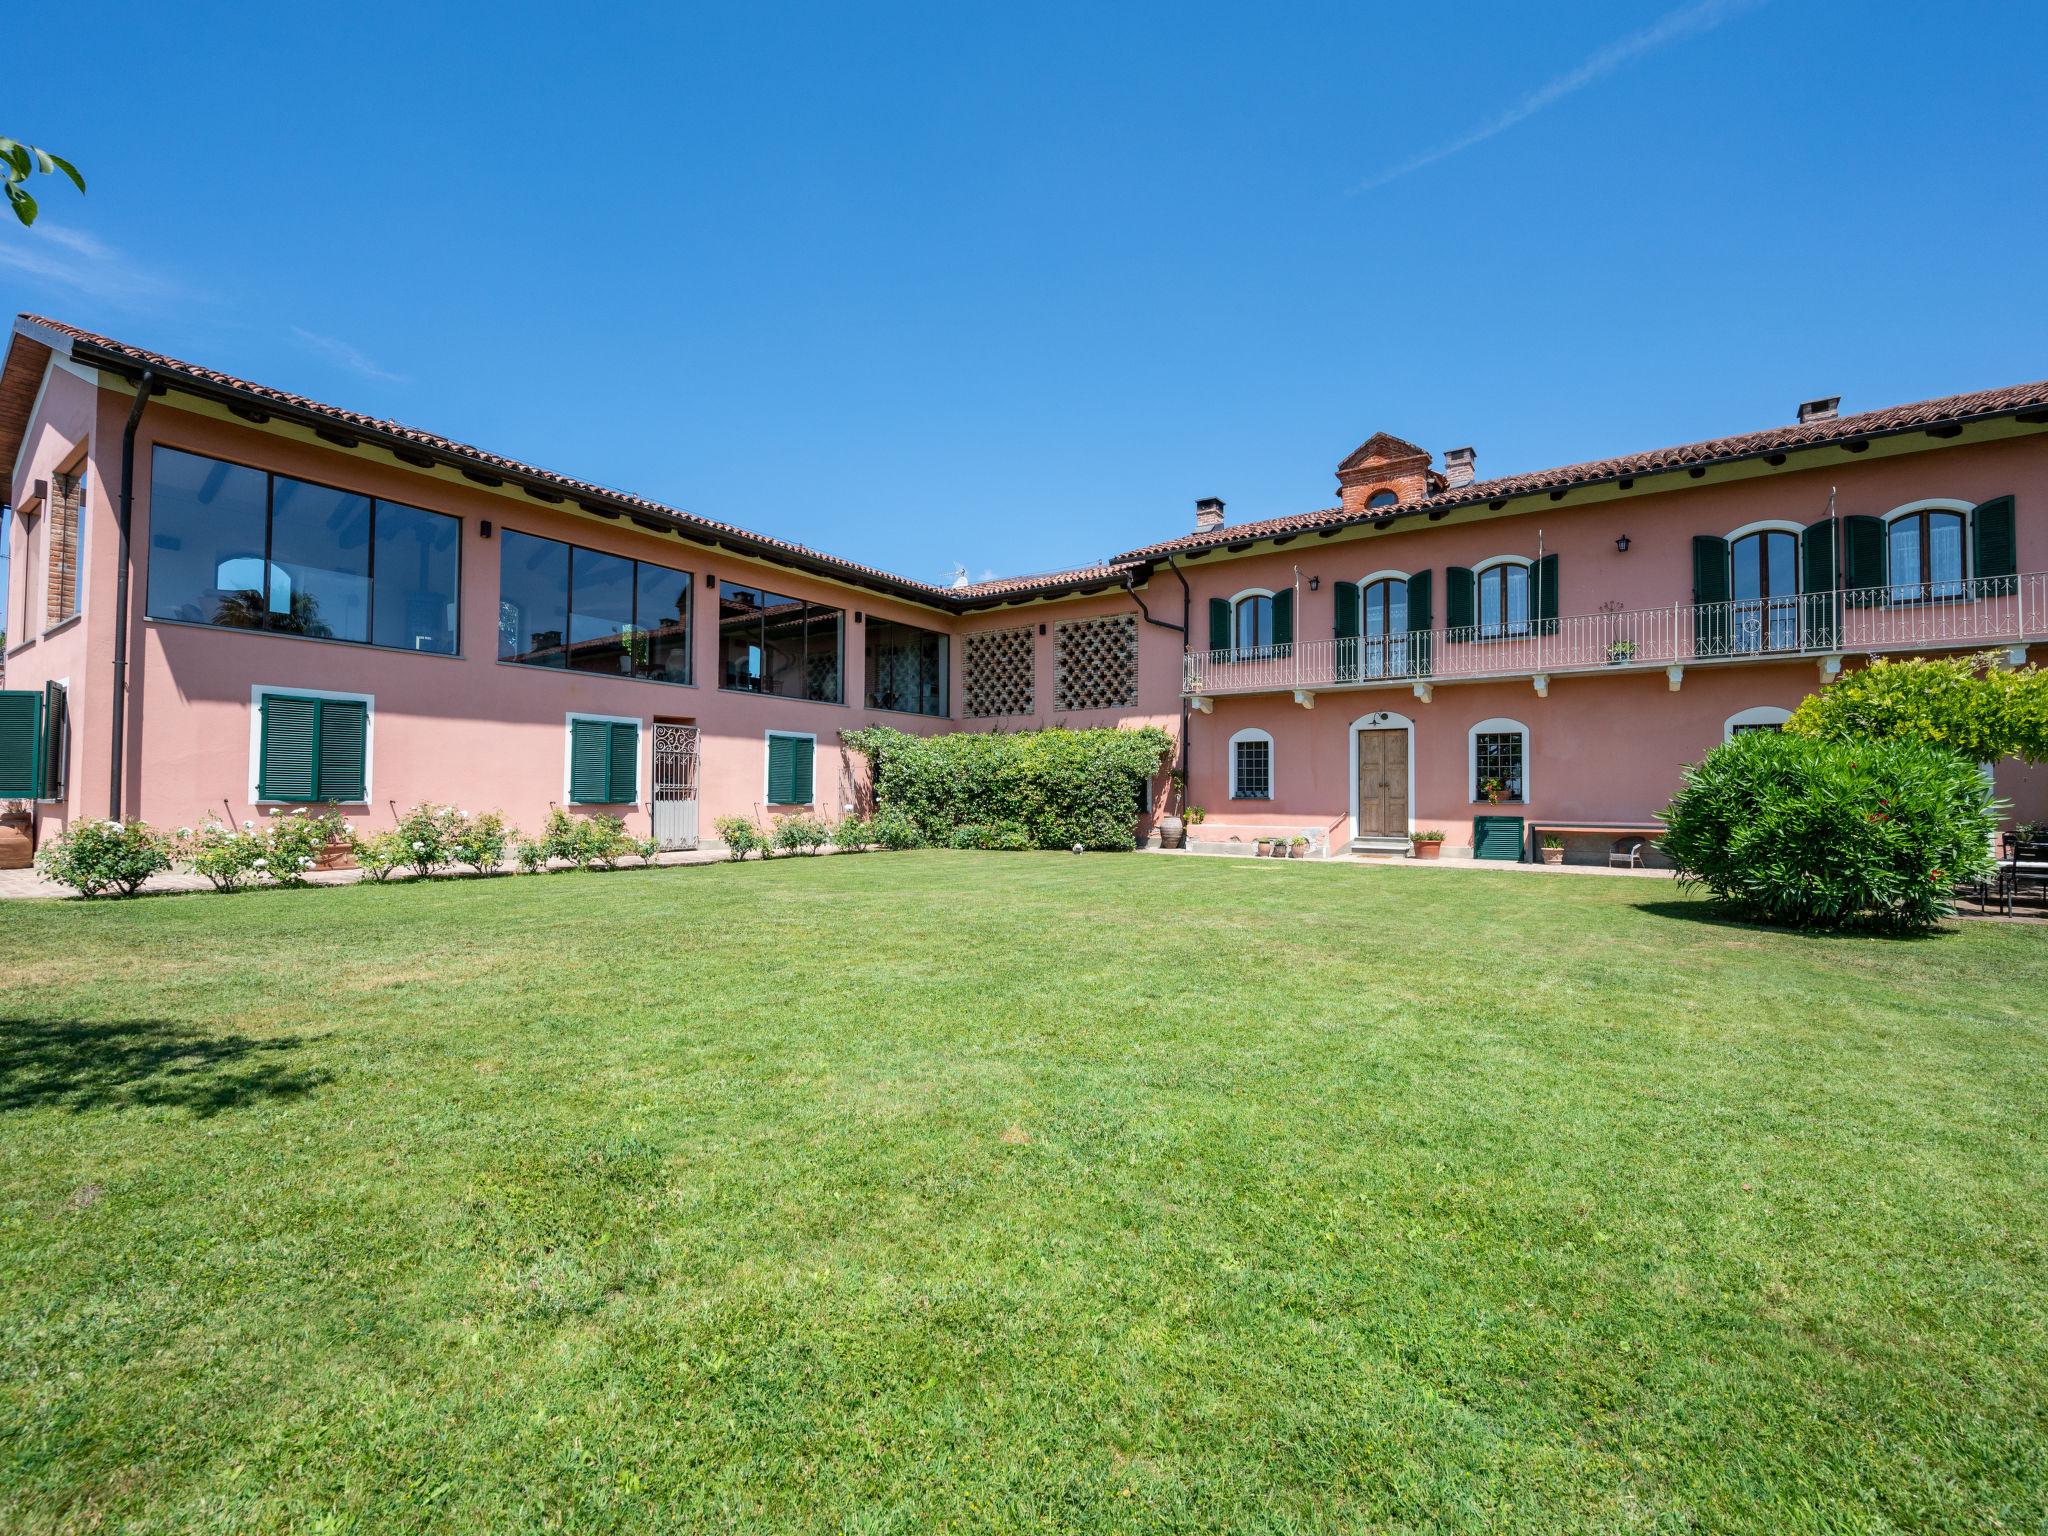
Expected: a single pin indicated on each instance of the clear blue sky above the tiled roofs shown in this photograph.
(1011, 288)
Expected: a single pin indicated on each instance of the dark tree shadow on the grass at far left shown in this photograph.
(75, 1066)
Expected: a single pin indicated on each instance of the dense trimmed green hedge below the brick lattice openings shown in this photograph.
(1039, 790)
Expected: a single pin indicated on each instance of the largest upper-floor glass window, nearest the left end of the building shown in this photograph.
(247, 550)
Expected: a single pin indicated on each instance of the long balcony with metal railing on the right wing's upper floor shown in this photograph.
(1916, 617)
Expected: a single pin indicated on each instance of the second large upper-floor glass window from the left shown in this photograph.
(570, 607)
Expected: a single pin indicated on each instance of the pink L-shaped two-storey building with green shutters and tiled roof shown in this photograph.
(228, 599)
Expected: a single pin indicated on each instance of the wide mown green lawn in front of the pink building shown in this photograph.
(1017, 1191)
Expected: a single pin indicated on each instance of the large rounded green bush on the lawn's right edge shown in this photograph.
(1807, 833)
